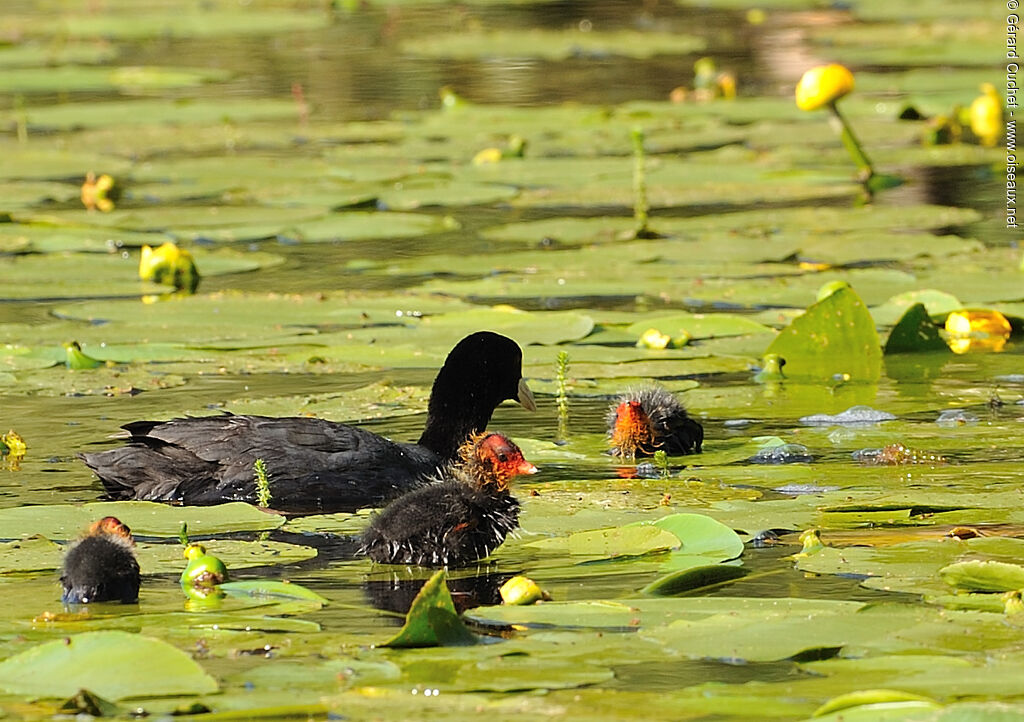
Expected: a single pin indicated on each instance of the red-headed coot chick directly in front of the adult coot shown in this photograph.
(458, 520)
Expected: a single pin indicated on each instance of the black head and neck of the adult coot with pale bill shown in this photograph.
(484, 370)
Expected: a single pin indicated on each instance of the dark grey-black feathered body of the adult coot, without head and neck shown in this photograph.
(313, 465)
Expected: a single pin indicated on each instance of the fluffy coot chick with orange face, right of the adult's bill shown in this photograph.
(650, 420)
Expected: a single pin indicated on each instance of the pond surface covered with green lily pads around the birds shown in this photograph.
(308, 155)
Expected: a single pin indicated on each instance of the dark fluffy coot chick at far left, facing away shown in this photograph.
(102, 567)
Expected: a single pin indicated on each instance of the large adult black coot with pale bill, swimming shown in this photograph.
(314, 465)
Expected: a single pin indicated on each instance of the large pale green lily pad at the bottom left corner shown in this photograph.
(115, 665)
